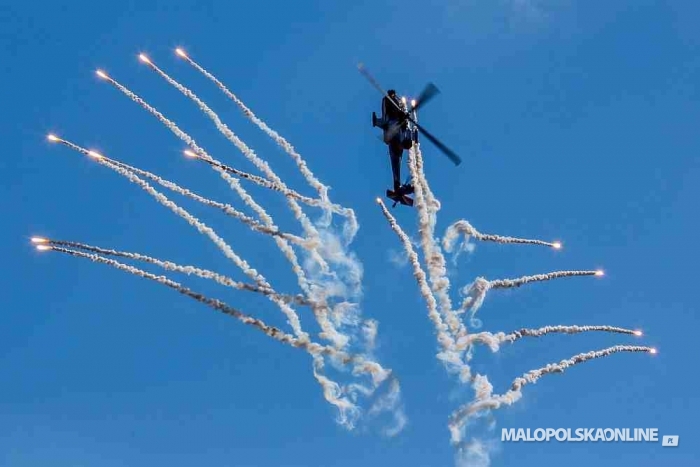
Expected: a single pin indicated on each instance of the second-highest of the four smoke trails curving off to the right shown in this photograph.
(475, 293)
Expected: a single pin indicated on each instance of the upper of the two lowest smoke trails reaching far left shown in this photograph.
(171, 266)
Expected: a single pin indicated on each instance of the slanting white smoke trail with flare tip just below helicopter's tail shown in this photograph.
(446, 341)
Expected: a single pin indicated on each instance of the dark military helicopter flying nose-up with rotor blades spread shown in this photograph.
(400, 130)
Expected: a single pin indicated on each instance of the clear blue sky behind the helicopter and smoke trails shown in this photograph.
(576, 121)
